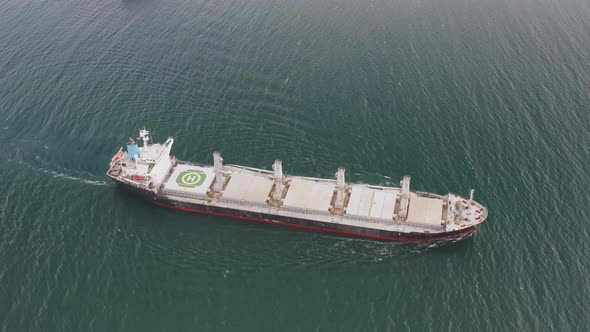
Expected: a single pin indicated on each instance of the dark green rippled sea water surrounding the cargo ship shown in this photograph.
(491, 95)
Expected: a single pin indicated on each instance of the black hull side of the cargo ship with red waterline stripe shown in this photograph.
(314, 225)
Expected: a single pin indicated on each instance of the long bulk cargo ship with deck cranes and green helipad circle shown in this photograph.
(328, 205)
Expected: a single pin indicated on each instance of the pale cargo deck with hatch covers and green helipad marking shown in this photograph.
(249, 189)
